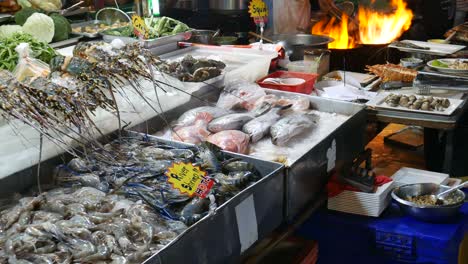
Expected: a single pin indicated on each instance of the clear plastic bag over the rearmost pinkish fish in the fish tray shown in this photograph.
(240, 94)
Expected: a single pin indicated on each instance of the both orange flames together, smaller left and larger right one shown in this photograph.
(374, 27)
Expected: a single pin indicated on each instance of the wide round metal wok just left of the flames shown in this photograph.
(296, 44)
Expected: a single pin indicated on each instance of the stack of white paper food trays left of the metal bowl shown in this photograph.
(369, 204)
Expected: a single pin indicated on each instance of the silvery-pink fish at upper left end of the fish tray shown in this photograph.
(206, 113)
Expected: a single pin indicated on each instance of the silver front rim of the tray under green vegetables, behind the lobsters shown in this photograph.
(151, 43)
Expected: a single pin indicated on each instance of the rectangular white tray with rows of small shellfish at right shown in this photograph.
(422, 104)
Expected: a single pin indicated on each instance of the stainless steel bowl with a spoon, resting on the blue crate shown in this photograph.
(428, 213)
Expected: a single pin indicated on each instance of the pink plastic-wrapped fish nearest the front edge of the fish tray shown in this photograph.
(231, 140)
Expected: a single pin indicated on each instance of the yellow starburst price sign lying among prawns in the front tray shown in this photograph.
(189, 179)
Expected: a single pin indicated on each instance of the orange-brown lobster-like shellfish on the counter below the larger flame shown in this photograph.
(392, 72)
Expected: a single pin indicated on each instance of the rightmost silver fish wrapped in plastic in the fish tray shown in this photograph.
(291, 126)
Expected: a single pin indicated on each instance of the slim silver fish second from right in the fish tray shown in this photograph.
(259, 127)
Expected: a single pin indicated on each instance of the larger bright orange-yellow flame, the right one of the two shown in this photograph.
(380, 28)
